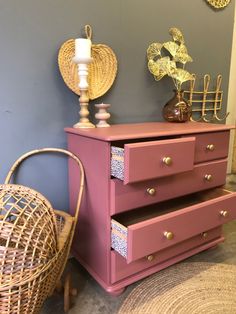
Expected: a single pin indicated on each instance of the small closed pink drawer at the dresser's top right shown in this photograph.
(210, 146)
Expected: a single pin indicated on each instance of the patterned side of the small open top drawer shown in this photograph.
(117, 162)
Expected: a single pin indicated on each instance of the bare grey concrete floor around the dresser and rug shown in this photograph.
(92, 299)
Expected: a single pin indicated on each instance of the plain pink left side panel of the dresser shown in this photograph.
(92, 238)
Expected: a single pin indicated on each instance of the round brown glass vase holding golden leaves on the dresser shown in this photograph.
(177, 109)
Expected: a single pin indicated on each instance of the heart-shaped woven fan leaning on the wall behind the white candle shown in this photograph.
(102, 70)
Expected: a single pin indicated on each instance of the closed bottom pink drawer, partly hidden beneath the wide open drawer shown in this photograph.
(120, 269)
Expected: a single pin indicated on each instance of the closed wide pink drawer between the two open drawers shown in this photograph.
(203, 176)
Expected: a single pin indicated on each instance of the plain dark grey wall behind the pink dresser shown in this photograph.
(36, 105)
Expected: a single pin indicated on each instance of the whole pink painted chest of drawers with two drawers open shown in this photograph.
(154, 196)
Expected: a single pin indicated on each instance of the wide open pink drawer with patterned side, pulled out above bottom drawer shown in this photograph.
(141, 232)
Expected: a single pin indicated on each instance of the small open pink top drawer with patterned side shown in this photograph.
(147, 160)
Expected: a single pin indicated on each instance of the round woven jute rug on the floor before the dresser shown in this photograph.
(185, 288)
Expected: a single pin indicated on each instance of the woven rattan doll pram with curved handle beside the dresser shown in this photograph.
(35, 242)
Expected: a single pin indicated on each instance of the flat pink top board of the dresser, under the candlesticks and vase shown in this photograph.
(148, 129)
